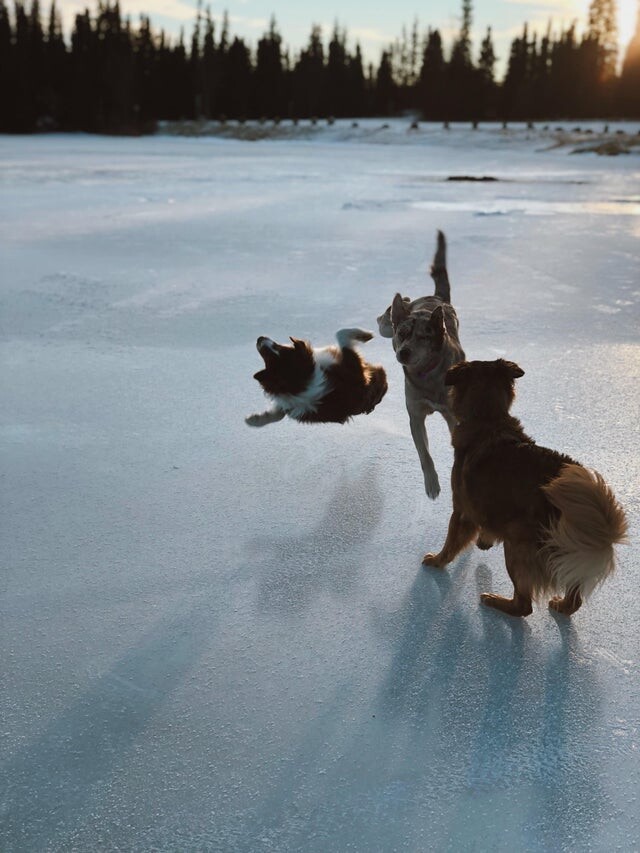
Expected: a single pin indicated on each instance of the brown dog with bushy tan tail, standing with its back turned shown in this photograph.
(558, 520)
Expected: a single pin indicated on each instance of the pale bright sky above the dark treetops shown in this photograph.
(374, 26)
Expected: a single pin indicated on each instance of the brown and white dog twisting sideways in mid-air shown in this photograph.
(332, 384)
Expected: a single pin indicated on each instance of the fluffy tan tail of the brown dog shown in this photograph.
(579, 544)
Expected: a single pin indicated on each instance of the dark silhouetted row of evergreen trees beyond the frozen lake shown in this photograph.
(114, 77)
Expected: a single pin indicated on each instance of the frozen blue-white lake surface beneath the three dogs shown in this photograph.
(217, 638)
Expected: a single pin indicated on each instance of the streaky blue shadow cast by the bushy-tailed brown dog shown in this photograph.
(493, 711)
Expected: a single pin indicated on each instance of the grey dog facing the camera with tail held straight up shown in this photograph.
(425, 339)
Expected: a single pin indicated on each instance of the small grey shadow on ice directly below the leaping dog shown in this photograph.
(329, 556)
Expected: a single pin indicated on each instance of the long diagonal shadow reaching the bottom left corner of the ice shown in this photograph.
(47, 783)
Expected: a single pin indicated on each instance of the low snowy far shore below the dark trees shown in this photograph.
(601, 137)
